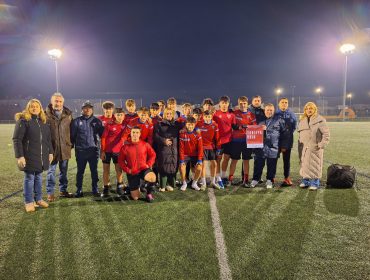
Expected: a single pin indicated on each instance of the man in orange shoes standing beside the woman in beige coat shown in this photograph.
(286, 141)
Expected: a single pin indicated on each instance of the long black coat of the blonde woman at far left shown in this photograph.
(32, 140)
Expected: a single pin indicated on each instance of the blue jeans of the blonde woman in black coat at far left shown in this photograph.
(32, 186)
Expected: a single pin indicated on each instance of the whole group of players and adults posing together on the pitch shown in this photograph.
(150, 145)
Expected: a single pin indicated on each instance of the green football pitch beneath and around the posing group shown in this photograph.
(268, 234)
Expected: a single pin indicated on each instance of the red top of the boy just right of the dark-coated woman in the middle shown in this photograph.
(191, 145)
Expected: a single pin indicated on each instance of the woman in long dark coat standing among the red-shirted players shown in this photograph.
(166, 134)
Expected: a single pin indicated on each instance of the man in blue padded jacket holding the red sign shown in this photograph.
(274, 127)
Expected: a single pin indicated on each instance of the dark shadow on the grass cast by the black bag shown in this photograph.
(342, 201)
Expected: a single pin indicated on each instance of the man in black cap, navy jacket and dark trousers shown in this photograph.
(86, 131)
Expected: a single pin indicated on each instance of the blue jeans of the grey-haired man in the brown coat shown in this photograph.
(63, 180)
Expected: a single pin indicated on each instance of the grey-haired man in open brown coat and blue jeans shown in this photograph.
(59, 118)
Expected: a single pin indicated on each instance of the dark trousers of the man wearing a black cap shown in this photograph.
(83, 157)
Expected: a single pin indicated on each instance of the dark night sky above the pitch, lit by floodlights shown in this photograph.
(189, 49)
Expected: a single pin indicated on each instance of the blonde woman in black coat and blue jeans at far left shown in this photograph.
(33, 150)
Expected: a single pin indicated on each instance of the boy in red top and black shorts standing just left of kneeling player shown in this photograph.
(111, 143)
